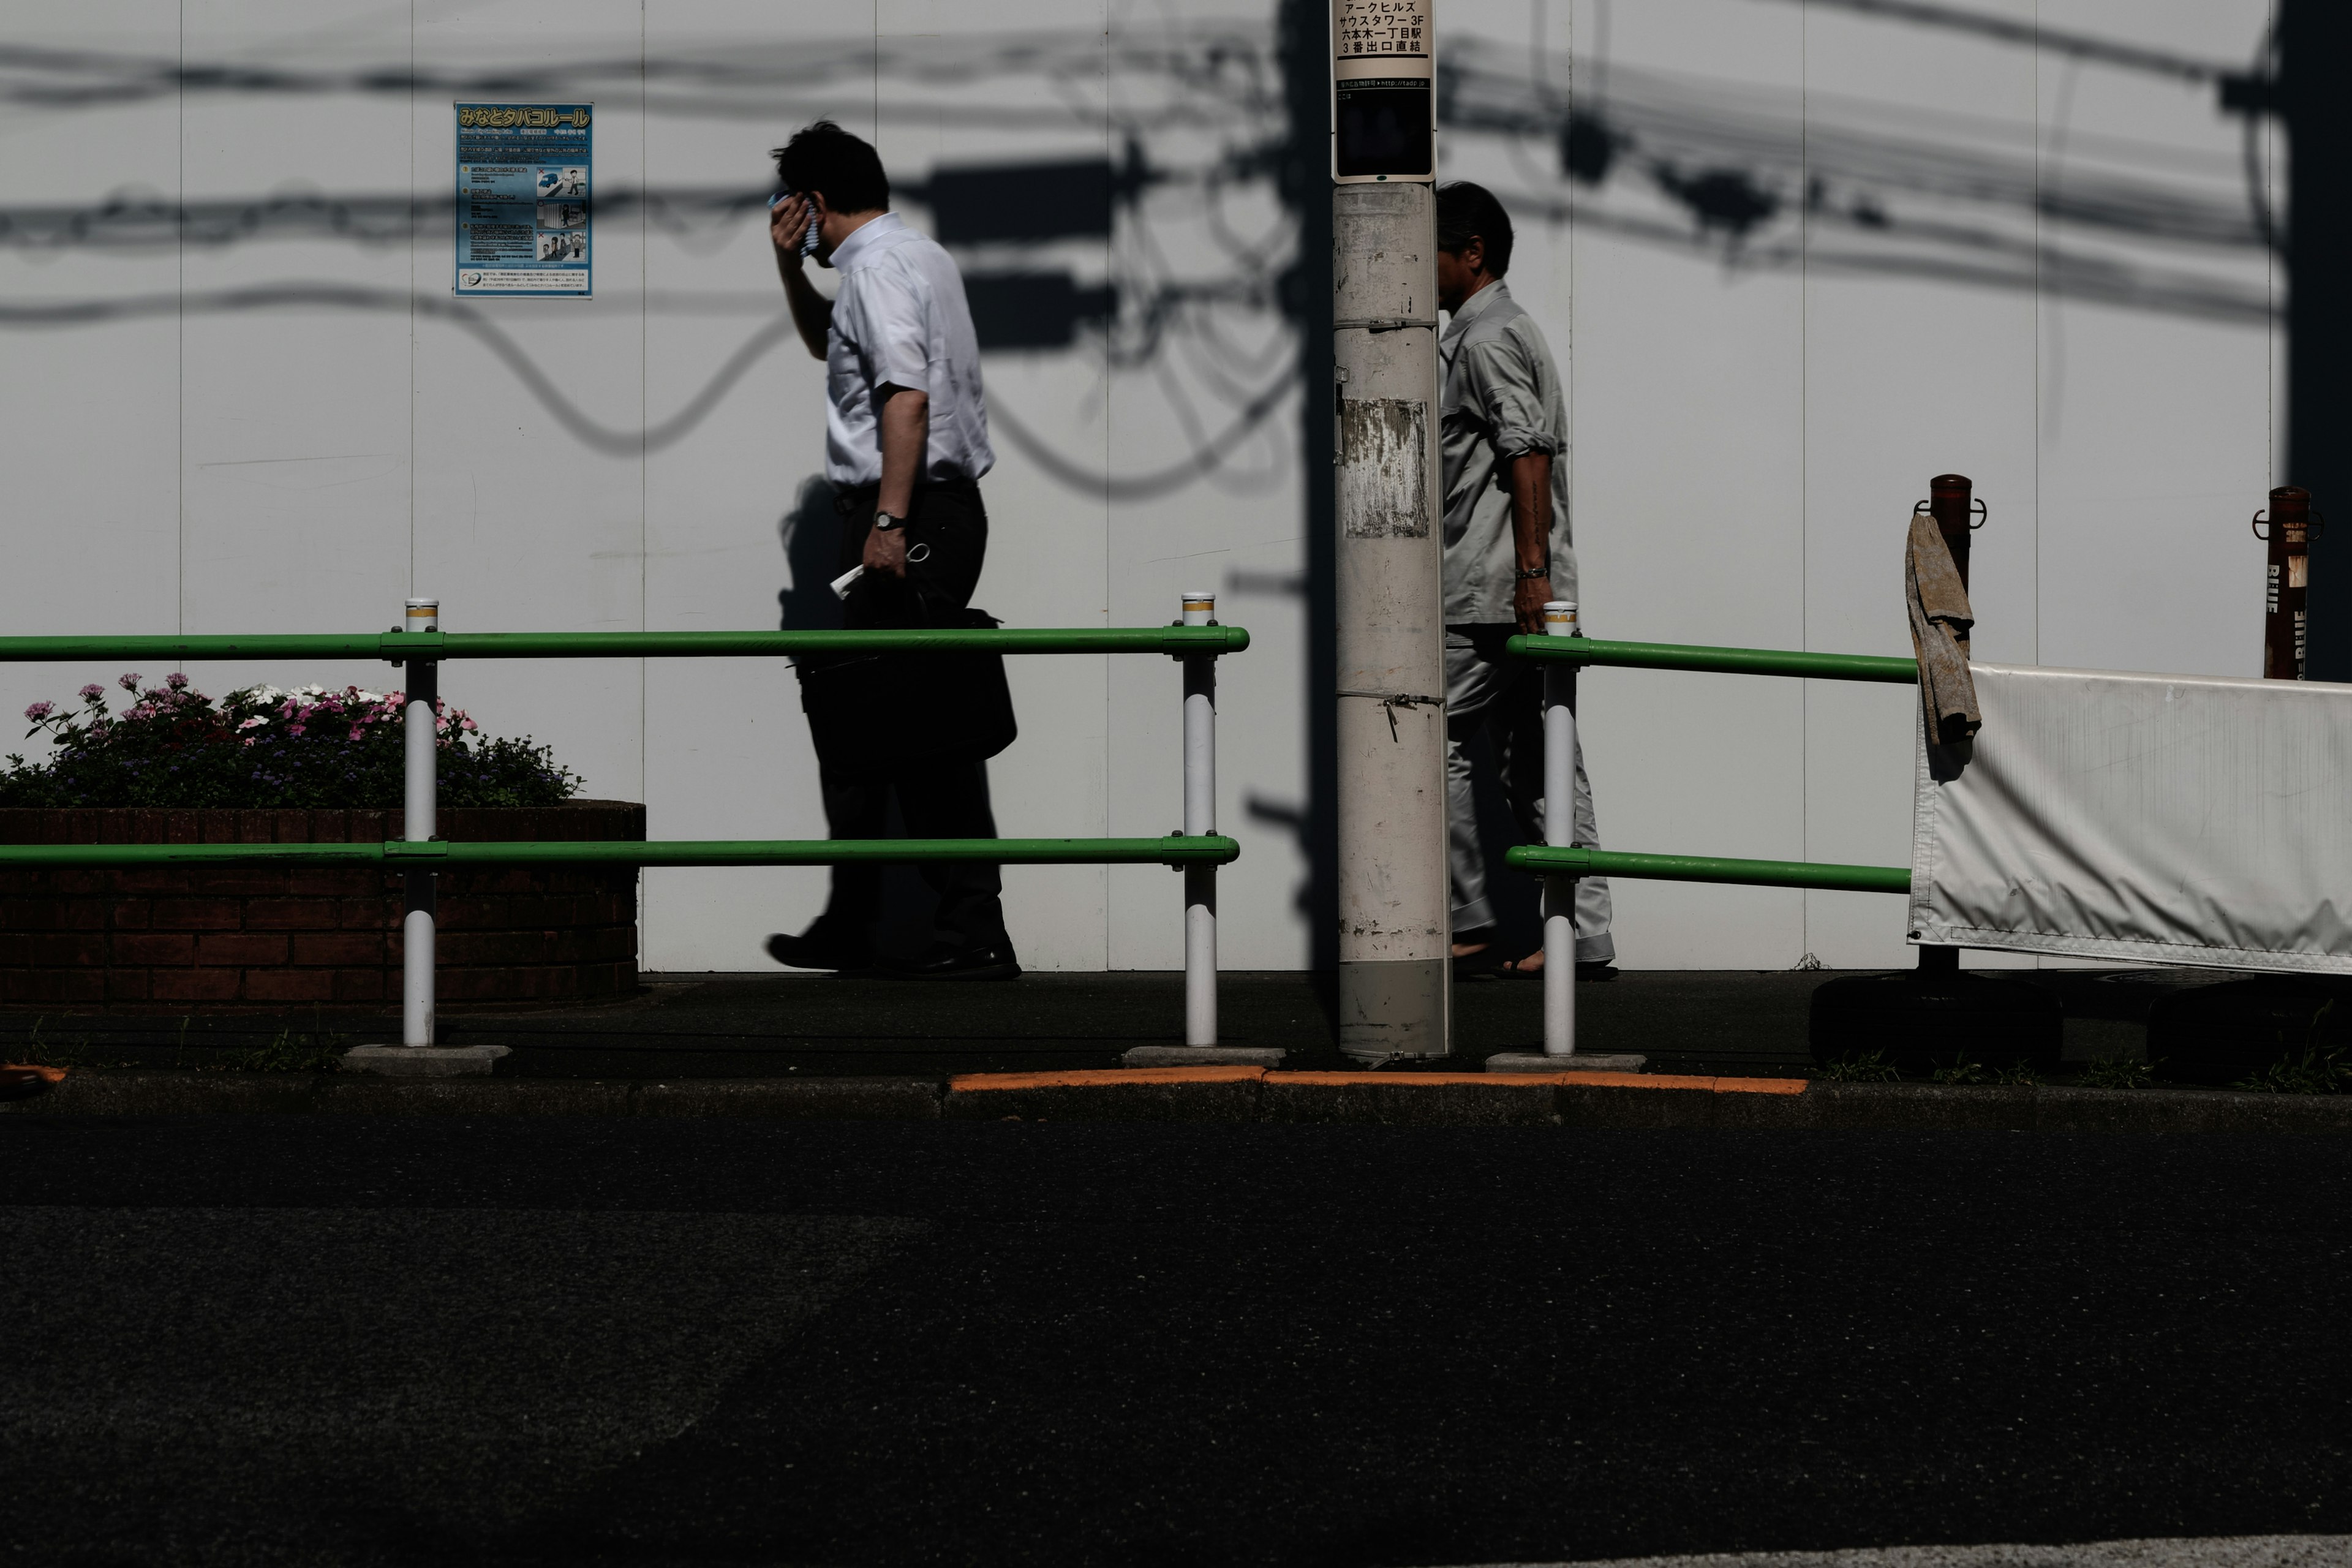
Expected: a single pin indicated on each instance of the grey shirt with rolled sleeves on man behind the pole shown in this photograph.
(1502, 401)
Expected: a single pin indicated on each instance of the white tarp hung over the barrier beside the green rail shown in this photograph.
(2141, 817)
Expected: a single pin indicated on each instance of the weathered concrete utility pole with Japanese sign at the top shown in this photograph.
(1394, 890)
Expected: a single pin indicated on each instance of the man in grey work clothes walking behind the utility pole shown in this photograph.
(1506, 436)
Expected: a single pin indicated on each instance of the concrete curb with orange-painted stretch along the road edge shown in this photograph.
(1222, 1094)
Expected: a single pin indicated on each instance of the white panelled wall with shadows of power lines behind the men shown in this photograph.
(1826, 255)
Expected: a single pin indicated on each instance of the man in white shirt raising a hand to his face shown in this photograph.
(907, 443)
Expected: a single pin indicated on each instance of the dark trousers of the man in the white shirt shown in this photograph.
(940, 800)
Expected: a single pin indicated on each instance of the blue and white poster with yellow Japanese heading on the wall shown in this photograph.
(523, 177)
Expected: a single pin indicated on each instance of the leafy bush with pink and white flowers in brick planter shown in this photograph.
(265, 749)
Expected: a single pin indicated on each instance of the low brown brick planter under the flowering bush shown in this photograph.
(290, 937)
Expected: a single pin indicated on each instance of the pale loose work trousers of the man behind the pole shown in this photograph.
(1488, 690)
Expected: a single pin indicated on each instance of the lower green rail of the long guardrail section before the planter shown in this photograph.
(436, 855)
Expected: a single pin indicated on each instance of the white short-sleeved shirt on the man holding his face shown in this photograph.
(902, 321)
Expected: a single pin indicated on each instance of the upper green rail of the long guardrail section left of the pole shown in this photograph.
(636, 645)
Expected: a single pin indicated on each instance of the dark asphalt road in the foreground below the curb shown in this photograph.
(366, 1341)
